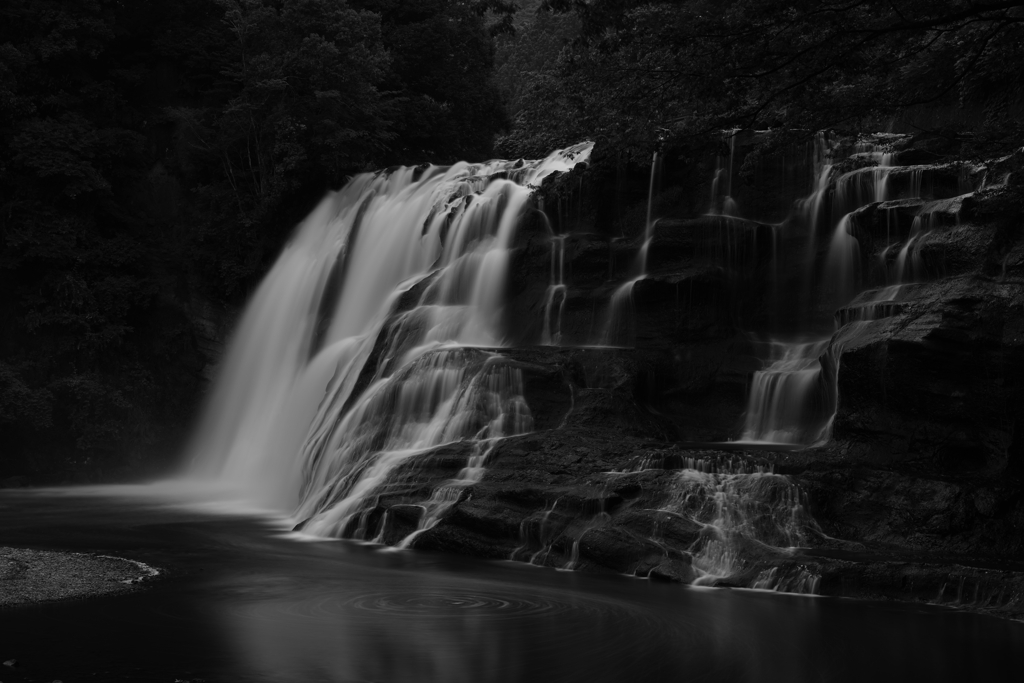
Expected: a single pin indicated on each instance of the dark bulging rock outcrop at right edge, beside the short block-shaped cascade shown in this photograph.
(940, 380)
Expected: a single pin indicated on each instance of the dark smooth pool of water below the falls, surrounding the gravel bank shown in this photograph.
(244, 605)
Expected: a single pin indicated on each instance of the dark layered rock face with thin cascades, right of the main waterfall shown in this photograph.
(816, 386)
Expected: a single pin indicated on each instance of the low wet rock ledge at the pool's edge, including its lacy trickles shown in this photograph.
(573, 501)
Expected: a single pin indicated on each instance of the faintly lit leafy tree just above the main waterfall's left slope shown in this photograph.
(296, 109)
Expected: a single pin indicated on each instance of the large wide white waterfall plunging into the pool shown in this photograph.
(372, 339)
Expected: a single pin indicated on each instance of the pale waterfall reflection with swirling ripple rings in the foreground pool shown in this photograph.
(430, 628)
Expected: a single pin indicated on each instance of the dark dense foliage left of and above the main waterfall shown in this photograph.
(154, 156)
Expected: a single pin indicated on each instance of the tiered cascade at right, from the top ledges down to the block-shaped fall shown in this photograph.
(794, 398)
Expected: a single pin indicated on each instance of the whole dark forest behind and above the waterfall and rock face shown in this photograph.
(156, 155)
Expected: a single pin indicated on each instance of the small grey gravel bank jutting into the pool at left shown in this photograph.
(39, 576)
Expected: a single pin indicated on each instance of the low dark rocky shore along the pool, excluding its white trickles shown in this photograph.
(570, 501)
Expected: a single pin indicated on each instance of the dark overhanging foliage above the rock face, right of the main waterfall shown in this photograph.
(641, 71)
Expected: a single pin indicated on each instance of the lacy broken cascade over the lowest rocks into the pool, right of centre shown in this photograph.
(748, 520)
